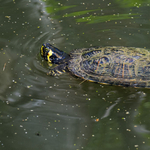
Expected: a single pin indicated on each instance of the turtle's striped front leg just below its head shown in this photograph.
(58, 70)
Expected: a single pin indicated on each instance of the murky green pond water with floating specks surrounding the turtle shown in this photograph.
(44, 112)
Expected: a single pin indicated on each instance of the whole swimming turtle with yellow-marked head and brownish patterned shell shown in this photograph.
(113, 65)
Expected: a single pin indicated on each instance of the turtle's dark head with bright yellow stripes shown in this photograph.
(52, 54)
